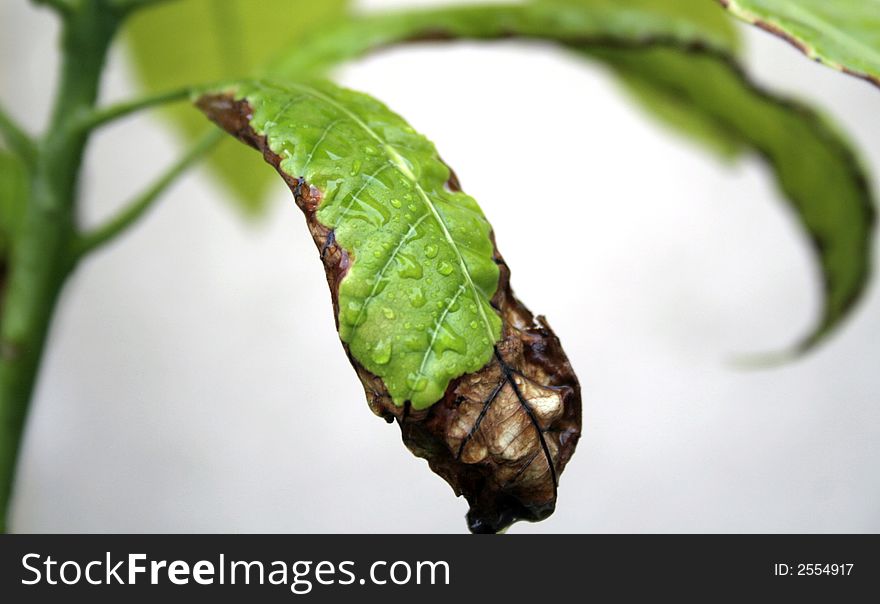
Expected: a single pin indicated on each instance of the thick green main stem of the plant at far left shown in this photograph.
(41, 258)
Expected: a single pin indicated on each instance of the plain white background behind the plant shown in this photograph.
(194, 380)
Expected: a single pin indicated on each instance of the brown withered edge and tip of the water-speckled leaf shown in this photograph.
(500, 436)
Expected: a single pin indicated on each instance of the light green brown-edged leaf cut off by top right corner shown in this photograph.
(842, 34)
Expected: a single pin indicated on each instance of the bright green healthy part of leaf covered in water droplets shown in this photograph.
(414, 307)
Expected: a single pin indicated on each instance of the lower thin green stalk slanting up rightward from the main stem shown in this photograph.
(138, 207)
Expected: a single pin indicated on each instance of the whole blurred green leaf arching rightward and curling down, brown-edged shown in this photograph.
(814, 164)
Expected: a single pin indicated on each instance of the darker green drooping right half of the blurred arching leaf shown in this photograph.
(815, 167)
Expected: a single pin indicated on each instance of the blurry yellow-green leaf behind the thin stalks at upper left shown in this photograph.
(189, 41)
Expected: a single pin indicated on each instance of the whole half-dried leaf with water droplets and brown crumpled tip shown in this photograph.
(479, 387)
